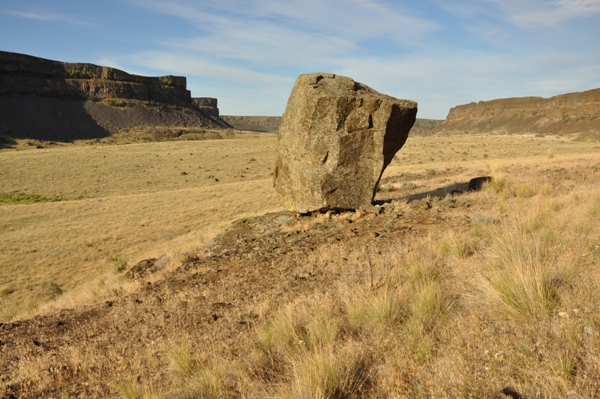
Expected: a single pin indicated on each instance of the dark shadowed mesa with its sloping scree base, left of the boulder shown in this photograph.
(51, 100)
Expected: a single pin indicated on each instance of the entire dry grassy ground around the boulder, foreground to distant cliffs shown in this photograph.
(456, 296)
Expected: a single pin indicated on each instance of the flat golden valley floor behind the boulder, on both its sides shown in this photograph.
(100, 206)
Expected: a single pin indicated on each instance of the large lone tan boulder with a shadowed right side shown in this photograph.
(335, 140)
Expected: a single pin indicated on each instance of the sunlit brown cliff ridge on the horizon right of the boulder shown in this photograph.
(565, 113)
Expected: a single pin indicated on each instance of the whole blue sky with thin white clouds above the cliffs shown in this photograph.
(248, 53)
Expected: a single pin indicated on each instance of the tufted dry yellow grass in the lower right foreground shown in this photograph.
(417, 320)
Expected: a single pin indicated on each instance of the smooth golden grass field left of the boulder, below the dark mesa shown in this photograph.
(121, 204)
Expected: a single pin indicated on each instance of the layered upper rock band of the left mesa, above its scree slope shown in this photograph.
(22, 74)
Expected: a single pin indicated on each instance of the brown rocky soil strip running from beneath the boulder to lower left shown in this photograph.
(213, 299)
